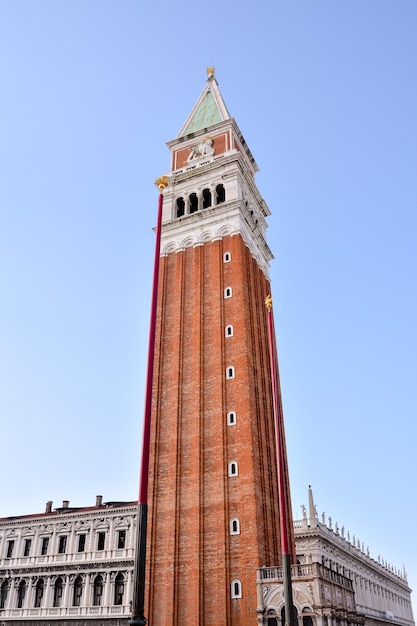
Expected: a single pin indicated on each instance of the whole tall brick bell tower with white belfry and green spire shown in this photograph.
(213, 504)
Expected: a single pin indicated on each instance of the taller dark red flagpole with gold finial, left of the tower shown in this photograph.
(138, 600)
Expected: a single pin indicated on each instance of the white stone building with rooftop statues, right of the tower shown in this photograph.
(336, 581)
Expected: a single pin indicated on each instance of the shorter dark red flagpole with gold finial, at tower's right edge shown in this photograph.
(282, 495)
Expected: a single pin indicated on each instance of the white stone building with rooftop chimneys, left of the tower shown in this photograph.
(69, 565)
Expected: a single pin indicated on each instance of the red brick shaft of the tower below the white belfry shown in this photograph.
(192, 558)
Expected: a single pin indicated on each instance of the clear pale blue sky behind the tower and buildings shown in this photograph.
(325, 95)
